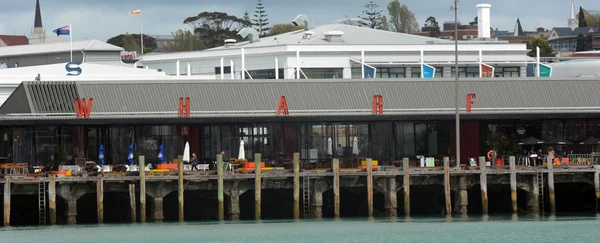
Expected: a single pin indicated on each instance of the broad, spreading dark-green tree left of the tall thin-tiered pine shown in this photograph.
(213, 28)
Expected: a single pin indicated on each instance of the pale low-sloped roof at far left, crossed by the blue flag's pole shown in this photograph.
(87, 45)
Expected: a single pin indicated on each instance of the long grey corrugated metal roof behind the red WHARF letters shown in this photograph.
(259, 98)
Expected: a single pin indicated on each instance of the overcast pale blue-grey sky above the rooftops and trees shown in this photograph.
(102, 19)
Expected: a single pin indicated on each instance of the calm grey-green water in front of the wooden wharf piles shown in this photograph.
(474, 229)
